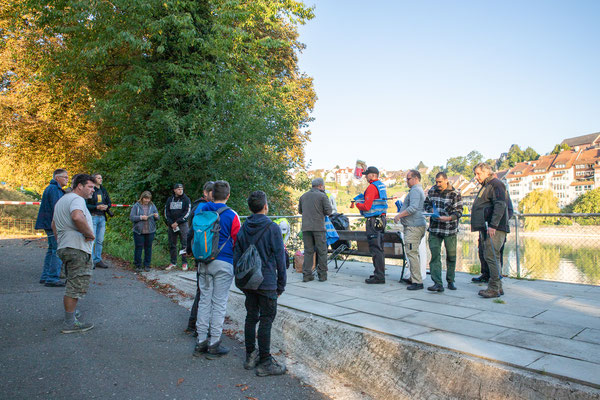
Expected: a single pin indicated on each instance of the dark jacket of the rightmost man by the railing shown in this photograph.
(492, 205)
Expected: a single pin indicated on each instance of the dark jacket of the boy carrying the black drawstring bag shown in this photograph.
(270, 247)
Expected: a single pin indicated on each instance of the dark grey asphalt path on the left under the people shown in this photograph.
(137, 349)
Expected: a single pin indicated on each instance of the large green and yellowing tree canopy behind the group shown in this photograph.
(180, 91)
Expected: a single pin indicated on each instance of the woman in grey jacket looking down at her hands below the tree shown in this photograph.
(144, 215)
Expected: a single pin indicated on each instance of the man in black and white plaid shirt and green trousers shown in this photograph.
(445, 200)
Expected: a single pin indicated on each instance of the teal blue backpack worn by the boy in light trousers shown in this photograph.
(206, 226)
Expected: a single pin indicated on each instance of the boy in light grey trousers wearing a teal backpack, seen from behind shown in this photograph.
(215, 229)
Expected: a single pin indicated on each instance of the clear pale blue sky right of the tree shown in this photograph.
(400, 82)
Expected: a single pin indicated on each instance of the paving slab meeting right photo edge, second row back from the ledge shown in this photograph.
(550, 344)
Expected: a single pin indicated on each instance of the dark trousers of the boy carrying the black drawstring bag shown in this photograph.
(261, 308)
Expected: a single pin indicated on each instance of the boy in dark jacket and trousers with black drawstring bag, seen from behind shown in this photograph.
(261, 303)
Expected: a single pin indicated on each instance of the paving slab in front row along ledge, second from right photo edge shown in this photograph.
(480, 348)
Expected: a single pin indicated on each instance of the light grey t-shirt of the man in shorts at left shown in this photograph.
(67, 233)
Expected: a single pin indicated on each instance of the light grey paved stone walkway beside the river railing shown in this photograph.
(548, 327)
